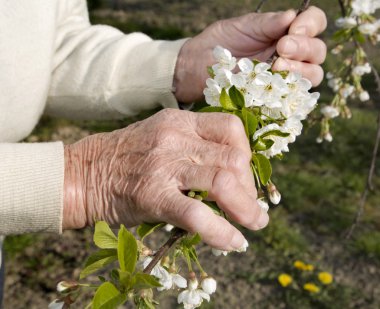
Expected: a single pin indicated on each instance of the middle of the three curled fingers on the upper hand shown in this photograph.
(302, 48)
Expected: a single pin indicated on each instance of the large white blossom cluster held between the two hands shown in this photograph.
(281, 99)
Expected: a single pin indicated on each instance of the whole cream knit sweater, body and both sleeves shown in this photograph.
(52, 60)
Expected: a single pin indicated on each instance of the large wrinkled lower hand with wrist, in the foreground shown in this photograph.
(138, 174)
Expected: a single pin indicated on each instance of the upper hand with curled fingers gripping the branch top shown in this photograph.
(255, 36)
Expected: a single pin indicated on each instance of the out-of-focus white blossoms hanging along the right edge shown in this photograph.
(358, 25)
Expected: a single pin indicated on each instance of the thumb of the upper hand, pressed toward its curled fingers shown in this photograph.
(272, 26)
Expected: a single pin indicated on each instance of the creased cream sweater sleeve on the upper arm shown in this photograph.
(98, 72)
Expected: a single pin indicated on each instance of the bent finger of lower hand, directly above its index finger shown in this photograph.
(207, 153)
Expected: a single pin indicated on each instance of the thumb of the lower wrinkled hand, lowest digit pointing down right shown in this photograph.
(195, 217)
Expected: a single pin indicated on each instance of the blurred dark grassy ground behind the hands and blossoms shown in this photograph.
(321, 187)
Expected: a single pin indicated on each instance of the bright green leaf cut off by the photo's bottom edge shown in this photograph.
(107, 296)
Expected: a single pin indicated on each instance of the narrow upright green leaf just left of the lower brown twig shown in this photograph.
(126, 250)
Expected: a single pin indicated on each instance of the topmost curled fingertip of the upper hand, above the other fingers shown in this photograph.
(311, 22)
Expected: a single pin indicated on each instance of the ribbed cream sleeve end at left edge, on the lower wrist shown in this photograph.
(31, 187)
